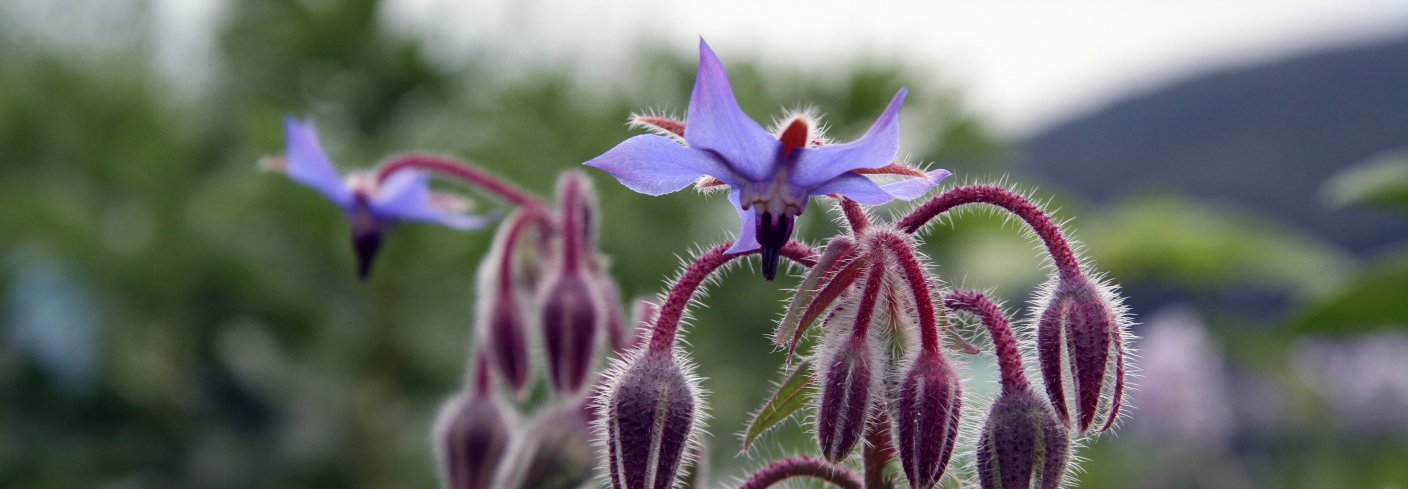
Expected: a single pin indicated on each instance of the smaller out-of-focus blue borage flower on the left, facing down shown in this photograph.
(372, 204)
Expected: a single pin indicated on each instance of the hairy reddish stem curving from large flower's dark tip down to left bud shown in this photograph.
(662, 338)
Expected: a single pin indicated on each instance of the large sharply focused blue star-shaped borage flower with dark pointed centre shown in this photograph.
(769, 177)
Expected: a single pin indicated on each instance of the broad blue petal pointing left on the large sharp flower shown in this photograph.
(657, 166)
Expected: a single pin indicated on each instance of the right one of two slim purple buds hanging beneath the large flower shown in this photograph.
(926, 415)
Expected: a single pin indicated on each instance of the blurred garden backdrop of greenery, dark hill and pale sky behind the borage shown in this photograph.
(172, 318)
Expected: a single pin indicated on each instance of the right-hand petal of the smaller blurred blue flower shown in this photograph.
(406, 197)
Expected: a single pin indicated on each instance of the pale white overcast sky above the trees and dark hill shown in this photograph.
(1022, 66)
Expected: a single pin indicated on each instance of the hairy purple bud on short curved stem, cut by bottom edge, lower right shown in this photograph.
(1023, 445)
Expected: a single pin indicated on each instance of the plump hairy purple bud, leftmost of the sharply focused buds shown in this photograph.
(650, 422)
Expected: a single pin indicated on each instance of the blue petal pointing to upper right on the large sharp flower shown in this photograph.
(875, 150)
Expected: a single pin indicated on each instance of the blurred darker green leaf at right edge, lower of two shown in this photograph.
(1376, 298)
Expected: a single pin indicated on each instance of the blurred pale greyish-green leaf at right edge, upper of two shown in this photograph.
(1382, 182)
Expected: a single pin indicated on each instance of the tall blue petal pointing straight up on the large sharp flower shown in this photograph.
(717, 125)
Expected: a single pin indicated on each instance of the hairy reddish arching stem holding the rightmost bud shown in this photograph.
(1043, 225)
